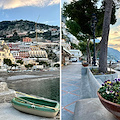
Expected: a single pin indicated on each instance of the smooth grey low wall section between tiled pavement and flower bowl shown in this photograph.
(89, 84)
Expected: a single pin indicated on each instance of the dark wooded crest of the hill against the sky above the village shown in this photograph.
(7, 27)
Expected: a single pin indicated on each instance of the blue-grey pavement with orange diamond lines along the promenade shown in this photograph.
(71, 76)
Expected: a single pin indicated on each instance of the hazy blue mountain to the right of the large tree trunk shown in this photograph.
(113, 54)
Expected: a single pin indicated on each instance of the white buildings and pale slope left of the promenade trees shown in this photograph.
(68, 53)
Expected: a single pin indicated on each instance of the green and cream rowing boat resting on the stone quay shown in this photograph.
(35, 106)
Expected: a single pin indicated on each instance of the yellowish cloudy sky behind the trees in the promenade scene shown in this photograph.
(114, 35)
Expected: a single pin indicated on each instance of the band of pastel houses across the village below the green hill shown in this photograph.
(28, 51)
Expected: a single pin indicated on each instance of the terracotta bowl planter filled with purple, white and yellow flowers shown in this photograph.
(109, 95)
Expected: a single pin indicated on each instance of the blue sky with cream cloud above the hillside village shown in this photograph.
(48, 11)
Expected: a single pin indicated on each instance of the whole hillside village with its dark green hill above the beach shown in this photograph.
(26, 45)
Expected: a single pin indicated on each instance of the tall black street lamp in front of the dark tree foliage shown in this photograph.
(94, 21)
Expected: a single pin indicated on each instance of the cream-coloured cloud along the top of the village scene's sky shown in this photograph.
(9, 4)
